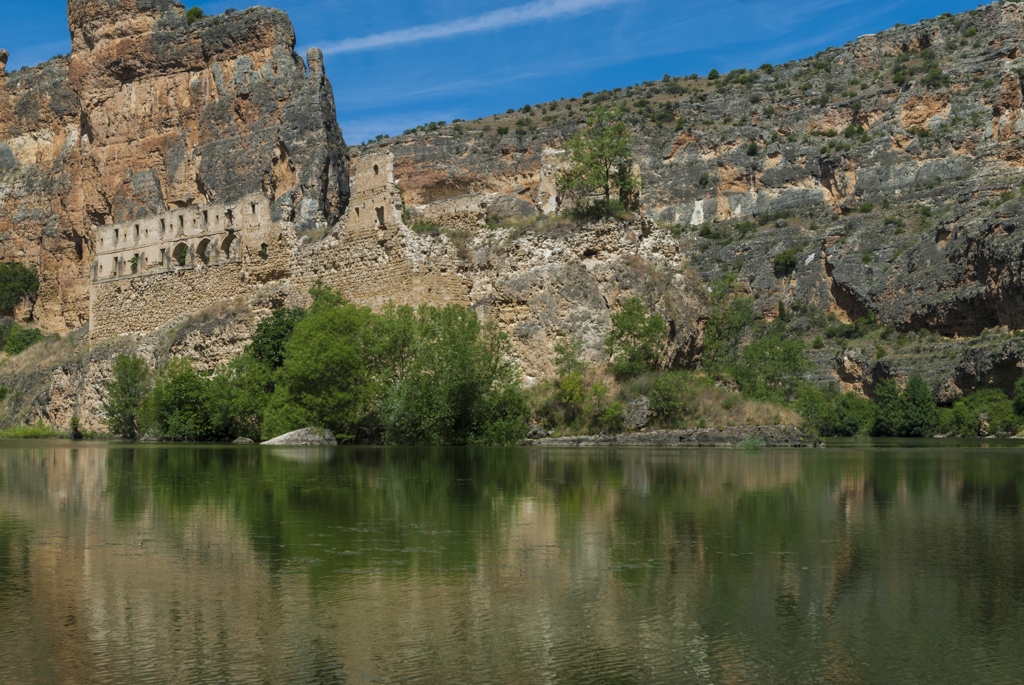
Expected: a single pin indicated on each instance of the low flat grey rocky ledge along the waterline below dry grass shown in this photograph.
(774, 437)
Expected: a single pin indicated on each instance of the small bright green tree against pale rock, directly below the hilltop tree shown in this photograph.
(636, 340)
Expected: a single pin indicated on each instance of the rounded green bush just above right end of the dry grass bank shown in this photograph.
(771, 368)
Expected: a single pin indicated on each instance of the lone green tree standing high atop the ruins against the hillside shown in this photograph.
(601, 161)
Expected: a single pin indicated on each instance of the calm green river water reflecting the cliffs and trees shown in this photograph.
(865, 563)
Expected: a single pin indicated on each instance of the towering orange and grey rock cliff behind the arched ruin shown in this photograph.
(150, 114)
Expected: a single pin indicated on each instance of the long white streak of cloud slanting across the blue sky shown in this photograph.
(500, 19)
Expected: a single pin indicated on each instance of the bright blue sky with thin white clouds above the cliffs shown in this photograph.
(399, 64)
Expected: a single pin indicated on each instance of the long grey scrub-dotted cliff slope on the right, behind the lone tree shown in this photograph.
(888, 168)
